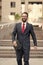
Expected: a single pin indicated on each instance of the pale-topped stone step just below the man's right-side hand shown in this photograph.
(12, 50)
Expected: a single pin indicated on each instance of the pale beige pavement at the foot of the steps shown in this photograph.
(12, 61)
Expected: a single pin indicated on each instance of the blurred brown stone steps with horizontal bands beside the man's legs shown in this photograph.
(7, 50)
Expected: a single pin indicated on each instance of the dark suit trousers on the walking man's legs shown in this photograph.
(22, 53)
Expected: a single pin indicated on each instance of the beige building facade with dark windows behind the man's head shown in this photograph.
(8, 8)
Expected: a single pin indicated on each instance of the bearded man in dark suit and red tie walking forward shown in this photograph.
(23, 31)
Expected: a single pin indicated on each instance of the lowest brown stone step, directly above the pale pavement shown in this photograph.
(14, 55)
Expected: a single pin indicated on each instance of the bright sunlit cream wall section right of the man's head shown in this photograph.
(35, 11)
